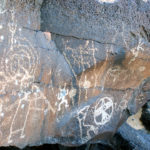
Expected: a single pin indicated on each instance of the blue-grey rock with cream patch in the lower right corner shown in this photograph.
(135, 133)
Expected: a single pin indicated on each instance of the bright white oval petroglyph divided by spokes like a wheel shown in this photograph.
(103, 110)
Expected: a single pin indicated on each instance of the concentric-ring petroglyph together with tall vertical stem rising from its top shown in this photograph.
(19, 61)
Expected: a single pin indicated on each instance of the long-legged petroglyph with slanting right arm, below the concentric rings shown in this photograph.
(29, 99)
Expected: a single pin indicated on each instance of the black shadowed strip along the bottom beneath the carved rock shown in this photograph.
(117, 143)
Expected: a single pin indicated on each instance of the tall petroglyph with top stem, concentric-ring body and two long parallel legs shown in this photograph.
(18, 66)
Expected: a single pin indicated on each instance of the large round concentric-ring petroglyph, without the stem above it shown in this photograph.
(20, 62)
